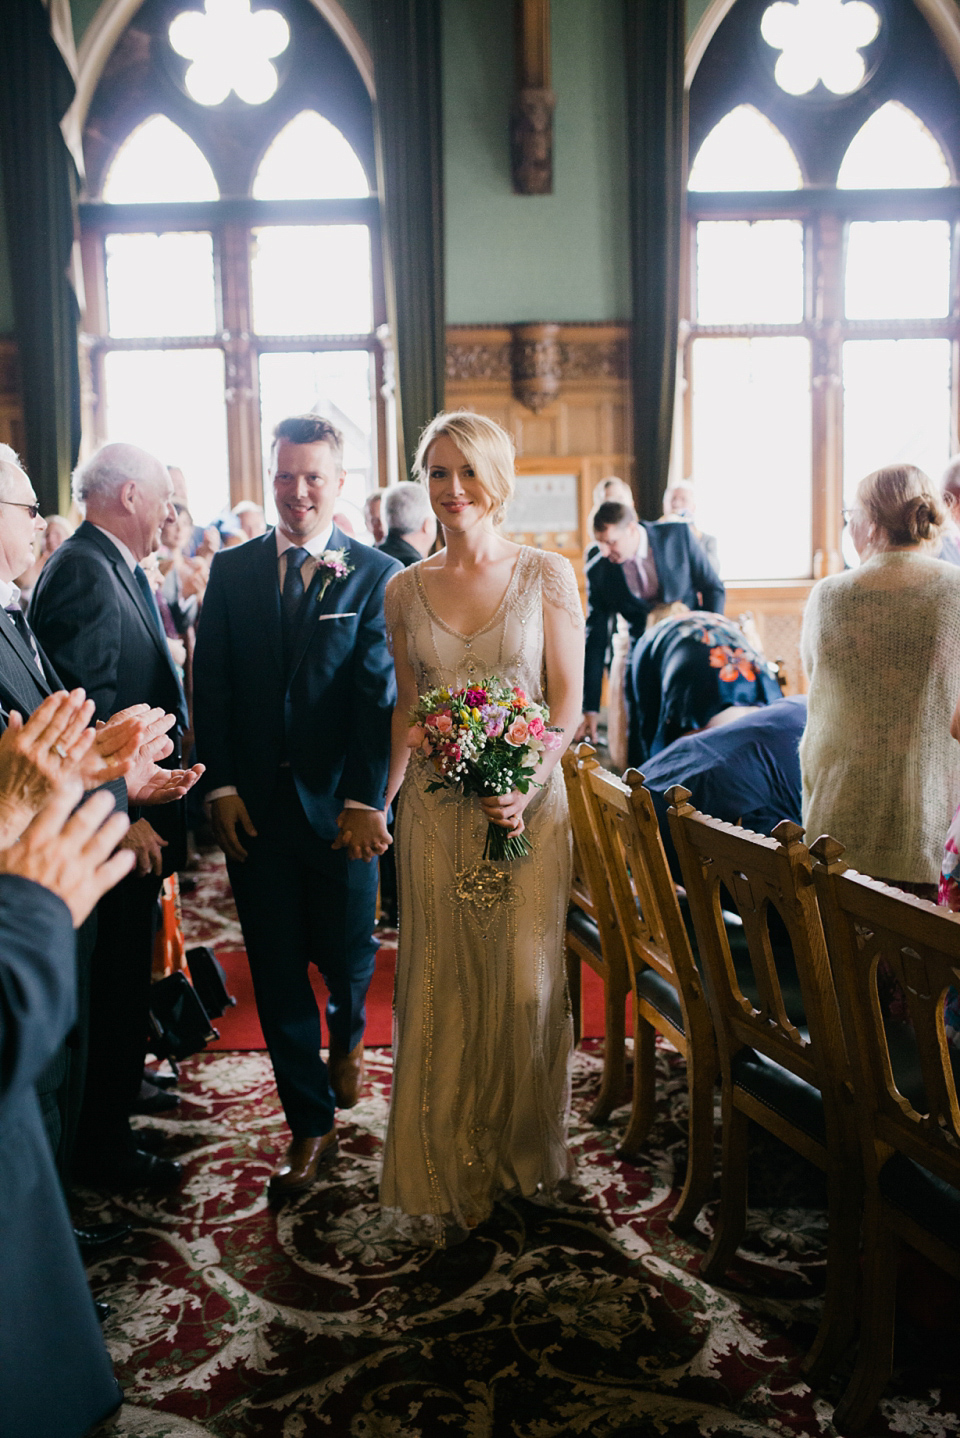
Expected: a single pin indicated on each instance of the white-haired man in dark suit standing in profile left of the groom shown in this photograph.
(96, 616)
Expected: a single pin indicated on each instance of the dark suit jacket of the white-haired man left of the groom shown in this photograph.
(100, 633)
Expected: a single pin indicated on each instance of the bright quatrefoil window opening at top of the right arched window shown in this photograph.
(820, 41)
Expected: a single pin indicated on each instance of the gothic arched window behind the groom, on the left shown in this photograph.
(232, 245)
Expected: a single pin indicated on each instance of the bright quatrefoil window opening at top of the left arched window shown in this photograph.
(232, 50)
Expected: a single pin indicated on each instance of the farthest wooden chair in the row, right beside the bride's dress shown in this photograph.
(593, 937)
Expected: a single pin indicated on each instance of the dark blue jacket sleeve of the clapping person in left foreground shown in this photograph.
(55, 1374)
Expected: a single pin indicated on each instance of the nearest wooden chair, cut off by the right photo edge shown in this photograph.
(910, 1144)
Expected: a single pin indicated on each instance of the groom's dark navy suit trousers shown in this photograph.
(301, 904)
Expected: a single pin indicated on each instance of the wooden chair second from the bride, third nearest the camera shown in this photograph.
(668, 992)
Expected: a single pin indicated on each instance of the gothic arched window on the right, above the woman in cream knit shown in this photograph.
(823, 310)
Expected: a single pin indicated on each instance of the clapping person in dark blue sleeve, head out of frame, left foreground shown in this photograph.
(55, 1373)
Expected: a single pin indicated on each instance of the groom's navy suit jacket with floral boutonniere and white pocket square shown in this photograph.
(330, 715)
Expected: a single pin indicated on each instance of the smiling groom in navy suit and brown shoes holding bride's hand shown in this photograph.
(294, 690)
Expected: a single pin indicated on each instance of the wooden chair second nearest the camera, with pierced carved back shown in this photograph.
(788, 1075)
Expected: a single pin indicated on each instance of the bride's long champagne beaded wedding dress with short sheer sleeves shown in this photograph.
(482, 1025)
